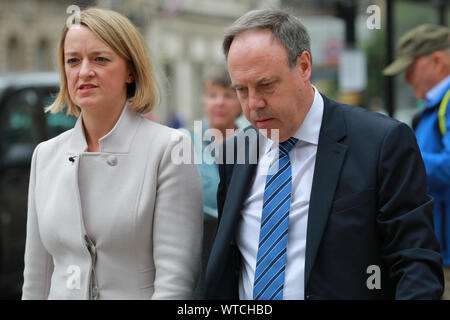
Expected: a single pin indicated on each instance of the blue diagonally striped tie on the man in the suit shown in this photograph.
(271, 258)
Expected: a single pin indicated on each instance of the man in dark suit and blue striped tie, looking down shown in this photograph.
(344, 215)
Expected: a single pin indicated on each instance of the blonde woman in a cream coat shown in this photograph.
(109, 215)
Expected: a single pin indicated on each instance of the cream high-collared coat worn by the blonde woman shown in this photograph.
(144, 214)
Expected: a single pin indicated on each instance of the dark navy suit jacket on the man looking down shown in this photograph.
(368, 206)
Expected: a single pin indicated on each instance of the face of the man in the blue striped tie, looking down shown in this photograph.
(272, 95)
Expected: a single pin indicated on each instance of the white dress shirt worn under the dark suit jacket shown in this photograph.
(303, 158)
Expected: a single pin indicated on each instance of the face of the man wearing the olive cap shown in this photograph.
(422, 75)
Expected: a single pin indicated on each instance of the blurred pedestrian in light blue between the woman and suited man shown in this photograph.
(222, 109)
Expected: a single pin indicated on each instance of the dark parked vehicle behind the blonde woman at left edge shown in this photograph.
(23, 124)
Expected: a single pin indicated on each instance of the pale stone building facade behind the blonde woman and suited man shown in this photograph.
(184, 37)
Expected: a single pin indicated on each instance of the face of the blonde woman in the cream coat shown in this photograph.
(96, 75)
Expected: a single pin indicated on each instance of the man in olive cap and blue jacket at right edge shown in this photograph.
(424, 53)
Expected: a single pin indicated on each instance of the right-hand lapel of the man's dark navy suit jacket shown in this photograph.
(329, 160)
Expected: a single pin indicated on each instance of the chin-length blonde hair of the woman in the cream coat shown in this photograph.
(122, 36)
